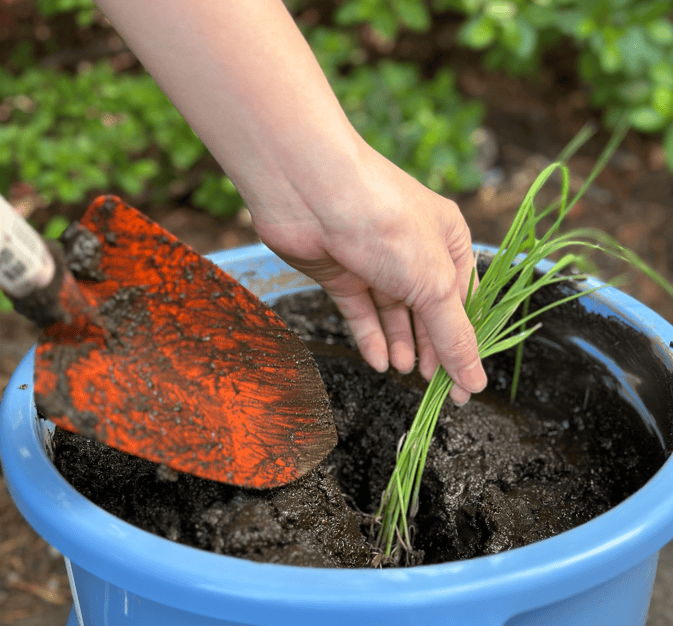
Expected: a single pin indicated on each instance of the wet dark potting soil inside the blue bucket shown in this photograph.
(499, 475)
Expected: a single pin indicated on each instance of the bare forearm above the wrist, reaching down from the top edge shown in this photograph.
(245, 79)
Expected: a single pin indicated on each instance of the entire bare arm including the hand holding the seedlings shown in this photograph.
(389, 251)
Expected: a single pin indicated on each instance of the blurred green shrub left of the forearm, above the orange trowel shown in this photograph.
(97, 130)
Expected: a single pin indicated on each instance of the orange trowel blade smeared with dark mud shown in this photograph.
(189, 368)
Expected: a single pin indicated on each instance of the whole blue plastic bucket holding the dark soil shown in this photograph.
(600, 573)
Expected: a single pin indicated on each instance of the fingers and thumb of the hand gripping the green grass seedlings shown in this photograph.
(382, 325)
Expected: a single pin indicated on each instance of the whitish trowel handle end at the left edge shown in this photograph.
(25, 262)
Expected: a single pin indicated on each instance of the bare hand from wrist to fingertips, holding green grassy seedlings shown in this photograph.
(394, 256)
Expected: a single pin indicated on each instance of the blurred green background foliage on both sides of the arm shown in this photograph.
(72, 132)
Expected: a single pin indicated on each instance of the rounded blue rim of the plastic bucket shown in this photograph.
(159, 569)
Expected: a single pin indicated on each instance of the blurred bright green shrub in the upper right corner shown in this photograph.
(625, 46)
